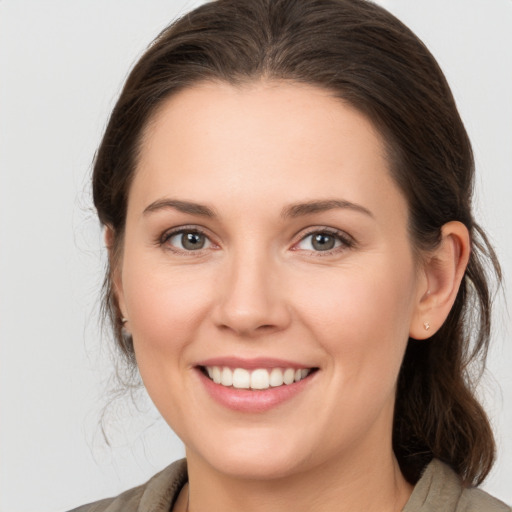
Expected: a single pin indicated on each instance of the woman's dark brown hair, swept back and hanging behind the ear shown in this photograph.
(369, 59)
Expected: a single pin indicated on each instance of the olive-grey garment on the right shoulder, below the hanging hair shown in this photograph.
(440, 490)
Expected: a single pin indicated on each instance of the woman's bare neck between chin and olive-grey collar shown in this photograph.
(372, 484)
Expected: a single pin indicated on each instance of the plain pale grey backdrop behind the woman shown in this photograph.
(62, 64)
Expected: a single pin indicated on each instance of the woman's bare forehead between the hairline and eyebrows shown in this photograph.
(261, 141)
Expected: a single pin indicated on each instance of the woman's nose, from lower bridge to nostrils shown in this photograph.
(252, 297)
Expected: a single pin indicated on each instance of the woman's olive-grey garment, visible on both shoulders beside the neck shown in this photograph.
(438, 490)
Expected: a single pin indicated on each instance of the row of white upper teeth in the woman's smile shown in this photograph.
(261, 378)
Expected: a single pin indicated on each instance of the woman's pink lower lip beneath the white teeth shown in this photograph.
(253, 401)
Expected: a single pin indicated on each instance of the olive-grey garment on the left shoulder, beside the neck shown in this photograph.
(157, 494)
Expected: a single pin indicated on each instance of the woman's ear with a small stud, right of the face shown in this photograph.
(444, 269)
